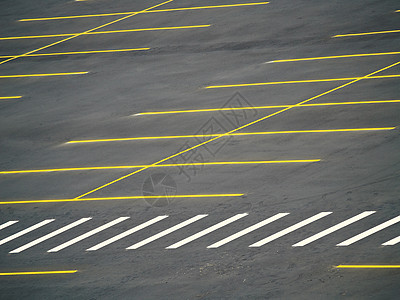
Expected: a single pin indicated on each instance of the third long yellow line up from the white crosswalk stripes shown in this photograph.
(232, 134)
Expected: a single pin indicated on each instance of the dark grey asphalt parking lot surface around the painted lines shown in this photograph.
(358, 171)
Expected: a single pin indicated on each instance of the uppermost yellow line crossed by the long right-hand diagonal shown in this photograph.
(298, 81)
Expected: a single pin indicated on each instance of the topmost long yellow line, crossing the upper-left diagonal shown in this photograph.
(152, 11)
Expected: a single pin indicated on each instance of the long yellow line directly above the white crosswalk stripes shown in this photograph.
(120, 198)
